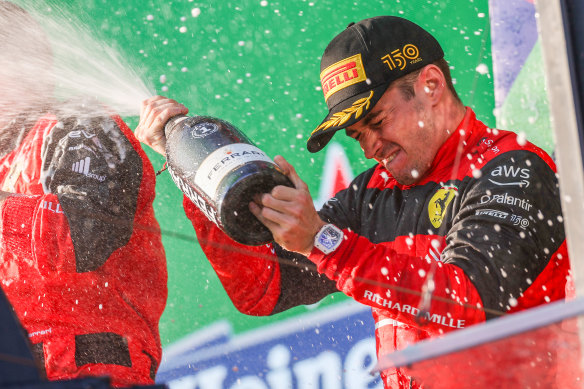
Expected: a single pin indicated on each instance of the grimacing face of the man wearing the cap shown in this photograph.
(400, 134)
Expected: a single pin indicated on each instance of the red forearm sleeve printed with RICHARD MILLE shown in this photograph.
(375, 275)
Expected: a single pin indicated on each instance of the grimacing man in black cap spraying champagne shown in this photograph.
(456, 224)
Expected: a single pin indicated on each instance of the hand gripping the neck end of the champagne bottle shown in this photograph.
(155, 112)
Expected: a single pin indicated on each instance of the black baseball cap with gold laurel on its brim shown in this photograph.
(359, 64)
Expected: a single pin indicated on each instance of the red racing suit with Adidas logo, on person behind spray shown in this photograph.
(81, 255)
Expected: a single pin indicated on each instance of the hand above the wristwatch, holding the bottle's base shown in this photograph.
(289, 213)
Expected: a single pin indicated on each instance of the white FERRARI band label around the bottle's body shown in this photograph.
(224, 160)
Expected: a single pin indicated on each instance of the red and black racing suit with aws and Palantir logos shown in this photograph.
(479, 236)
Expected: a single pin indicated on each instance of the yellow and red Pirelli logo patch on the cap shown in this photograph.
(342, 74)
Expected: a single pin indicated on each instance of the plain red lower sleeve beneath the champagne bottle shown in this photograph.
(249, 275)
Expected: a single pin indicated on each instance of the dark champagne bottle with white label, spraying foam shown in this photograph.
(220, 170)
